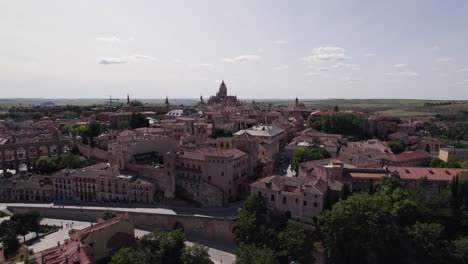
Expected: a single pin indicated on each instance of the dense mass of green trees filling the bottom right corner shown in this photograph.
(395, 225)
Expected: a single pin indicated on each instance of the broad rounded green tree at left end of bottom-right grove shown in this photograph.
(359, 230)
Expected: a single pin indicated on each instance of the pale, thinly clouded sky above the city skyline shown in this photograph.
(274, 49)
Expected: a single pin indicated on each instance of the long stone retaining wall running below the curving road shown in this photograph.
(197, 228)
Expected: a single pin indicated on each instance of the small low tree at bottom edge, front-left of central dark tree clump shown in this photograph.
(251, 254)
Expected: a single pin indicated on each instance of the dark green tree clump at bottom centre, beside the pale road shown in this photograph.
(267, 237)
